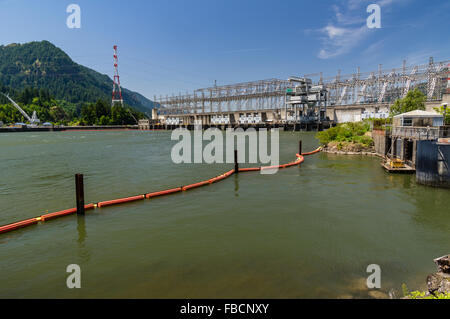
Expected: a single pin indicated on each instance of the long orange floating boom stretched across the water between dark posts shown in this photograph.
(43, 218)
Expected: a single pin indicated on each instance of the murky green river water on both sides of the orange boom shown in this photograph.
(305, 232)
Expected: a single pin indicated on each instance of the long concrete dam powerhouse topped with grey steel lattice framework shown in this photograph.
(344, 97)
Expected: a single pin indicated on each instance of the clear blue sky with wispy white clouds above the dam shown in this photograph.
(173, 46)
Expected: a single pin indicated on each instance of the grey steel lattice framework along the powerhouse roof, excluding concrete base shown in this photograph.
(382, 86)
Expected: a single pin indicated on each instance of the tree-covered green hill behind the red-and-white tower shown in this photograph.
(43, 65)
